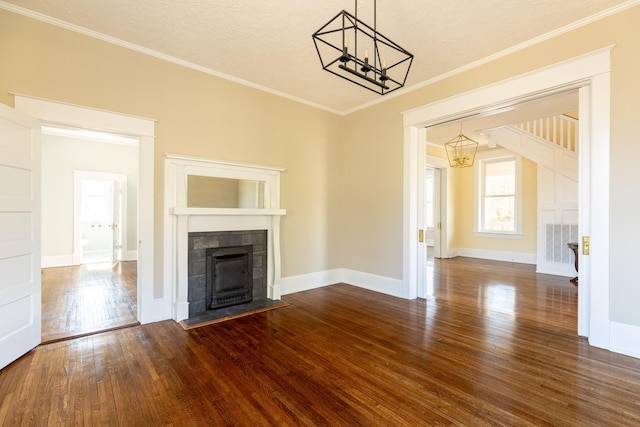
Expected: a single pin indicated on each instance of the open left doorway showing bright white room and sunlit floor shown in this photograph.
(89, 232)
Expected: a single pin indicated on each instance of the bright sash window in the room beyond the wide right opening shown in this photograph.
(499, 196)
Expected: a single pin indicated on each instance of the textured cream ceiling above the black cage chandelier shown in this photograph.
(268, 44)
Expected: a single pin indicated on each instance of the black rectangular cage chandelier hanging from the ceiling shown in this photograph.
(351, 49)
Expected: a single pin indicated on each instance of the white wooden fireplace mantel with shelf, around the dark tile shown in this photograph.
(180, 220)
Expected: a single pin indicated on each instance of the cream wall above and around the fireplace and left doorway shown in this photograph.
(197, 115)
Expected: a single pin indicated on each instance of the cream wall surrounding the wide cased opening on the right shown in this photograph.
(383, 123)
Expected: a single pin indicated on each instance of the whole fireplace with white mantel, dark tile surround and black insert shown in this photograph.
(192, 227)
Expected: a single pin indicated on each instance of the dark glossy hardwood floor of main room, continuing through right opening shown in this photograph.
(495, 345)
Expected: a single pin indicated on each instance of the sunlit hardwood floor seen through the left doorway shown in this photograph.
(84, 299)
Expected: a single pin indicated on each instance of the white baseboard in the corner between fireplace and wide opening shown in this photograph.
(305, 282)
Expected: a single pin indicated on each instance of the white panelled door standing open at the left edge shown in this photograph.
(20, 280)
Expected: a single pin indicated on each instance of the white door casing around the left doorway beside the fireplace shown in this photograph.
(150, 309)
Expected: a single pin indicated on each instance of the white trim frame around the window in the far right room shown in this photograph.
(491, 156)
